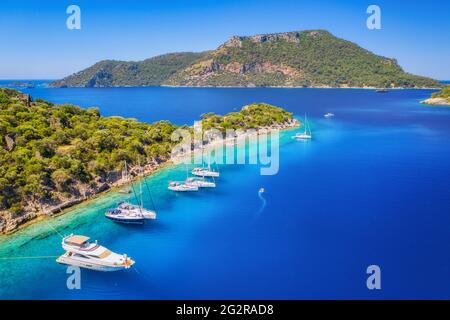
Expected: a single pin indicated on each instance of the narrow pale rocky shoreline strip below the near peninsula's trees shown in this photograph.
(148, 171)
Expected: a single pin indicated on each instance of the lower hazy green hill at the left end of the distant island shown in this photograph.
(110, 73)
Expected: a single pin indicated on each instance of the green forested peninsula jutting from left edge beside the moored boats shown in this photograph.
(55, 156)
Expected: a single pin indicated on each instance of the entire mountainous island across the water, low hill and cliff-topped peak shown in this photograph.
(312, 58)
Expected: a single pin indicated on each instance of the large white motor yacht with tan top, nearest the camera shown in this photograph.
(84, 254)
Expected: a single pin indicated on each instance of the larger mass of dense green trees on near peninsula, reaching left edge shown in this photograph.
(53, 149)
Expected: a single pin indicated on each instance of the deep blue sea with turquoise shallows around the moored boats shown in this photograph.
(373, 187)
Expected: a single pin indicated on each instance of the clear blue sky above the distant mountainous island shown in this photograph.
(36, 43)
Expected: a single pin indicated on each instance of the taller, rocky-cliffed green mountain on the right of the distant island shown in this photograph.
(308, 58)
